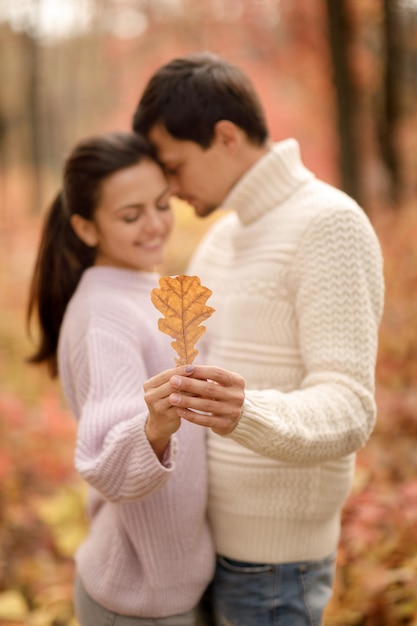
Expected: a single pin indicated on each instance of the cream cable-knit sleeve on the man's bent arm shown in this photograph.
(337, 284)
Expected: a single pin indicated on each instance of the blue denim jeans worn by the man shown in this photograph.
(292, 594)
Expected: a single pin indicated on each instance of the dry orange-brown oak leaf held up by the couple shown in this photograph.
(182, 299)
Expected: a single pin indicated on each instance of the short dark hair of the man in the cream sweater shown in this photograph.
(190, 94)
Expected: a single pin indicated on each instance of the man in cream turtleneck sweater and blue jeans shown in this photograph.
(296, 275)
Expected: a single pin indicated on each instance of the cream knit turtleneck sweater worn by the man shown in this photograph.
(296, 275)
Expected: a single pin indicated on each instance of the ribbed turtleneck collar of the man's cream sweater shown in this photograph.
(269, 182)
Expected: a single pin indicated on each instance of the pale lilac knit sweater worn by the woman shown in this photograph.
(148, 551)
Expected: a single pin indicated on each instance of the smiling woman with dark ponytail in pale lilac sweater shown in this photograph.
(148, 554)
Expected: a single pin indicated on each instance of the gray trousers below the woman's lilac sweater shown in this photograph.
(89, 613)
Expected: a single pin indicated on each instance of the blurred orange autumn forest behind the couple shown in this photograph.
(338, 75)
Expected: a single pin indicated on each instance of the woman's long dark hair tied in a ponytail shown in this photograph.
(62, 256)
